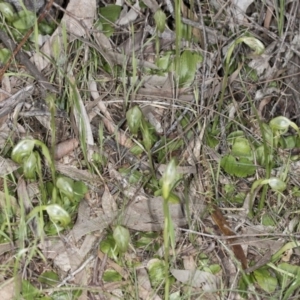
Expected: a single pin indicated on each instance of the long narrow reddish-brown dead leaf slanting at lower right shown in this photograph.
(223, 225)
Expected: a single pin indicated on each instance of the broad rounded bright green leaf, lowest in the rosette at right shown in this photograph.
(242, 168)
